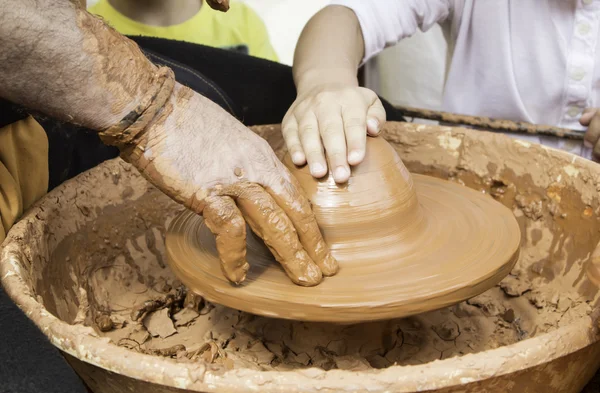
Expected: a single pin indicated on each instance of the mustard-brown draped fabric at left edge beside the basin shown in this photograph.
(23, 169)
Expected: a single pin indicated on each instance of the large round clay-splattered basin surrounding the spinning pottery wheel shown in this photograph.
(95, 246)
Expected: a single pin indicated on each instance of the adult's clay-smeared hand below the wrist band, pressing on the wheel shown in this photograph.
(215, 166)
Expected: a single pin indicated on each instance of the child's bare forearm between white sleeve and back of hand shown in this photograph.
(329, 50)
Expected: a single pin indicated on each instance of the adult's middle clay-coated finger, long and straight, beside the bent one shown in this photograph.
(272, 225)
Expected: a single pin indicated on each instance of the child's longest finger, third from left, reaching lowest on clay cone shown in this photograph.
(331, 128)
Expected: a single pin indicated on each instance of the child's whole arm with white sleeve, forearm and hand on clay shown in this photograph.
(331, 111)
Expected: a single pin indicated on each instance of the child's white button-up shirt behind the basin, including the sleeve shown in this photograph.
(526, 60)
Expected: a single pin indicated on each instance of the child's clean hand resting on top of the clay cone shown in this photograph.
(336, 118)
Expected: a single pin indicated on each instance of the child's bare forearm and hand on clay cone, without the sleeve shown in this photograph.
(329, 100)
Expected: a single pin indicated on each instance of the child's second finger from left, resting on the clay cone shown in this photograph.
(311, 143)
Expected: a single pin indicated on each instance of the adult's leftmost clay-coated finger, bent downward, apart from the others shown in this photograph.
(225, 221)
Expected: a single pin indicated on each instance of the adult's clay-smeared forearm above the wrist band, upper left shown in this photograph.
(59, 60)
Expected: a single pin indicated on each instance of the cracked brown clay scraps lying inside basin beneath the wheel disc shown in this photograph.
(130, 283)
